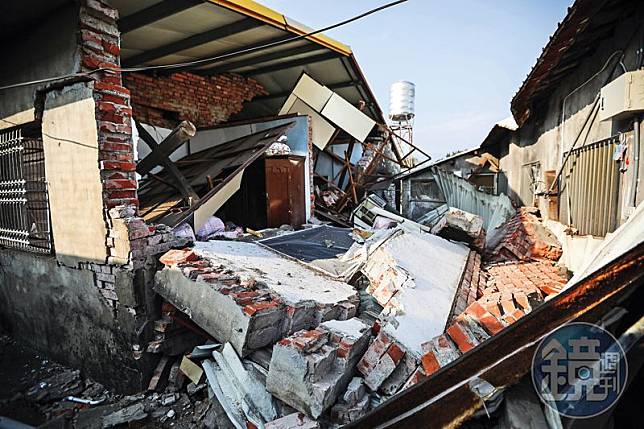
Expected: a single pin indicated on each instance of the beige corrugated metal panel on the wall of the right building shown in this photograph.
(590, 194)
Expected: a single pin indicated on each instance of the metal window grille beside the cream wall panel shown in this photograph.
(24, 204)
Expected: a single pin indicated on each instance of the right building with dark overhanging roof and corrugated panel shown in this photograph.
(576, 155)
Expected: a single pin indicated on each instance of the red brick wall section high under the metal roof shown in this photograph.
(205, 101)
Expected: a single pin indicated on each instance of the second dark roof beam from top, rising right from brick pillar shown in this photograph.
(192, 41)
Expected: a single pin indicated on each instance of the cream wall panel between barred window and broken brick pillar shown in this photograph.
(73, 176)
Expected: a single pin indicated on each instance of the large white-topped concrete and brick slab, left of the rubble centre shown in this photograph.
(251, 297)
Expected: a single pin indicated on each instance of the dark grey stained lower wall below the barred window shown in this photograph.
(58, 310)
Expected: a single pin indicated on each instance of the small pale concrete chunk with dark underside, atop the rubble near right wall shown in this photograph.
(459, 225)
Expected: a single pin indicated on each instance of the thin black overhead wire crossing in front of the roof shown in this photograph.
(209, 60)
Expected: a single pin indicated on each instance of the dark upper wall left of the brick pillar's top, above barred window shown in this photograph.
(46, 50)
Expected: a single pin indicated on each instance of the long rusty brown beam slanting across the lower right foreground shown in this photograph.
(506, 357)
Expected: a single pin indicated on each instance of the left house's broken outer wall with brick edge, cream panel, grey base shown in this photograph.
(90, 304)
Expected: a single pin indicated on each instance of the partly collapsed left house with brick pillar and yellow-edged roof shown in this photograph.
(77, 256)
